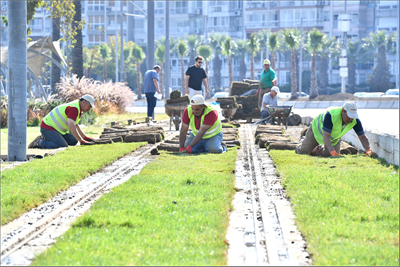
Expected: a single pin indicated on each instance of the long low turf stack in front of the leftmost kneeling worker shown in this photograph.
(150, 134)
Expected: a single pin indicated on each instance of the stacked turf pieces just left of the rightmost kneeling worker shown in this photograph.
(272, 137)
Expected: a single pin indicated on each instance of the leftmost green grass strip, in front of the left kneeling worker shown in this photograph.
(29, 185)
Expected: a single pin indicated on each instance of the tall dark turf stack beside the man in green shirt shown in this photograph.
(247, 105)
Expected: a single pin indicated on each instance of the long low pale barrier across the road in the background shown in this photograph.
(325, 104)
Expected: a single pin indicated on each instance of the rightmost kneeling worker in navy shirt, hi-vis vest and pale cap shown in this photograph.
(323, 137)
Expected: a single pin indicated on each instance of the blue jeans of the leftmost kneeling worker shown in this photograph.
(55, 140)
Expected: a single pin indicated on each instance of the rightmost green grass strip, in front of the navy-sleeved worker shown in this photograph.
(346, 208)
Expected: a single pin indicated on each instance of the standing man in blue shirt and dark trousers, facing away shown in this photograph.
(150, 88)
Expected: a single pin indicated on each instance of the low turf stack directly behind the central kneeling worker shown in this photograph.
(231, 136)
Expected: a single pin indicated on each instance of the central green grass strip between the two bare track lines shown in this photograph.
(175, 212)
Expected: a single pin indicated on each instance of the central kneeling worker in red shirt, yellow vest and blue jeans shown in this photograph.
(206, 134)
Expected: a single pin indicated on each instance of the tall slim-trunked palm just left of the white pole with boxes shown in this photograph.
(314, 45)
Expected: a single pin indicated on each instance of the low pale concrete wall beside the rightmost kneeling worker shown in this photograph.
(384, 145)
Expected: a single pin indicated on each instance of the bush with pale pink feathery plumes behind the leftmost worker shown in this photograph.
(109, 97)
